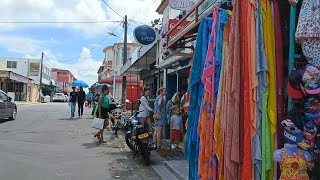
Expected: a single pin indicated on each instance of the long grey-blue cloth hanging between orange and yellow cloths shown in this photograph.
(261, 69)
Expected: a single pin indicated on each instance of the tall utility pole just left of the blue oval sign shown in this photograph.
(125, 58)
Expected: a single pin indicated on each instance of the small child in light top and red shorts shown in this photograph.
(176, 127)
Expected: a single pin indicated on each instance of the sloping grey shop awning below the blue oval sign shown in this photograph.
(141, 59)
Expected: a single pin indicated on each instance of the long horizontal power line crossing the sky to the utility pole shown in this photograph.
(56, 22)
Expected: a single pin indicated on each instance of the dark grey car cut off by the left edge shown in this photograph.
(8, 109)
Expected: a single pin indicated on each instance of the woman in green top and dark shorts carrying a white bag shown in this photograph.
(102, 112)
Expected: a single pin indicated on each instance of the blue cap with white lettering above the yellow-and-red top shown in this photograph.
(292, 134)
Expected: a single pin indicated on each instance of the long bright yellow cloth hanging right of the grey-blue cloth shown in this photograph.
(269, 42)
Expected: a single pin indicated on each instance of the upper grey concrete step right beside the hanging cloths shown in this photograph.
(180, 168)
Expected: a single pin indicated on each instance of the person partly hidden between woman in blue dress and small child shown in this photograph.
(175, 100)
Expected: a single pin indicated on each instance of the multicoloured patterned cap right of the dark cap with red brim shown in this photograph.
(311, 80)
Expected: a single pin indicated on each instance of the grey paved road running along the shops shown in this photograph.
(43, 144)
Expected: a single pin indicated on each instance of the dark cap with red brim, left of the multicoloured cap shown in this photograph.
(294, 84)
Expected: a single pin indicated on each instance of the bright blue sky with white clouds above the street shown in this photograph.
(68, 45)
